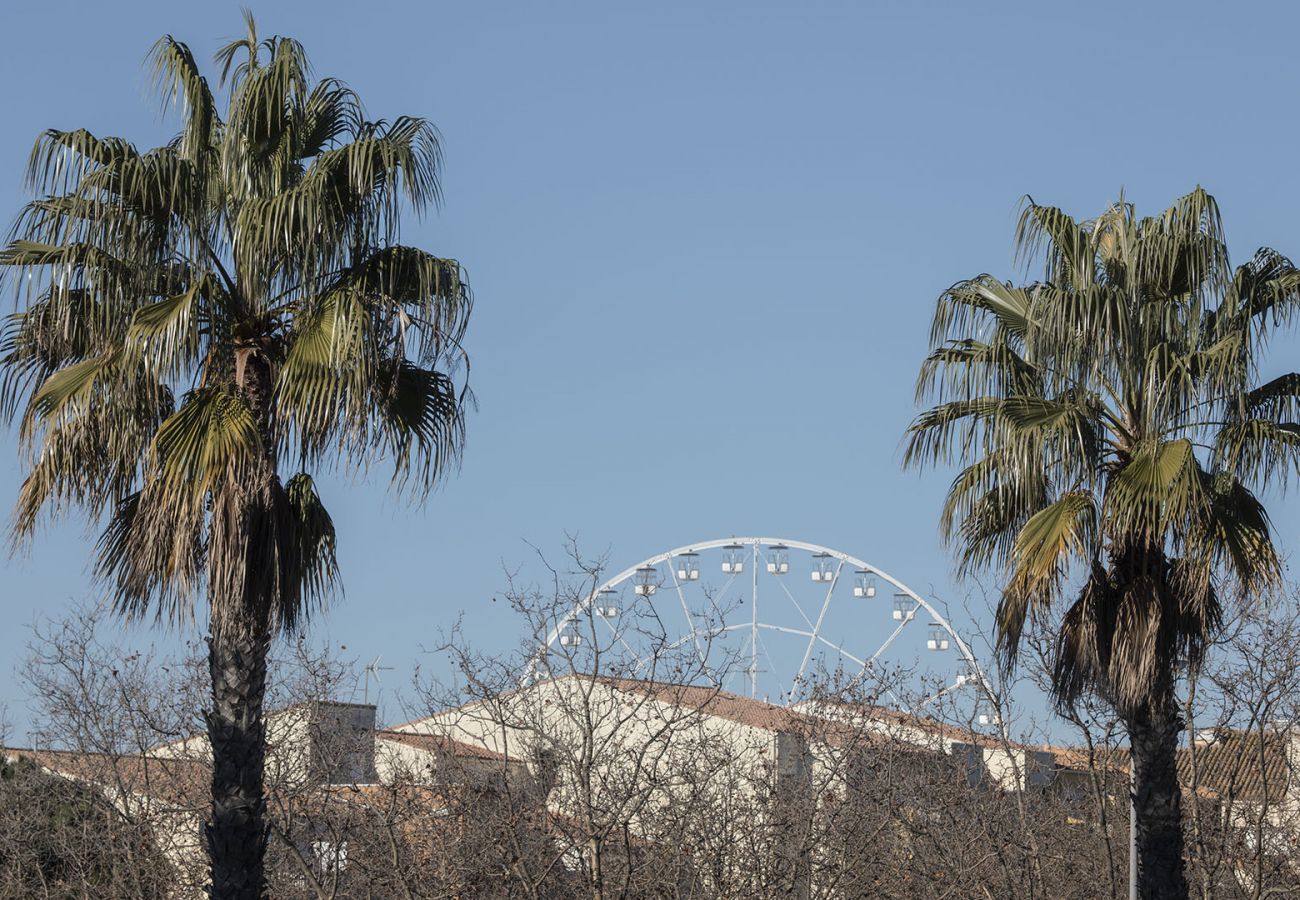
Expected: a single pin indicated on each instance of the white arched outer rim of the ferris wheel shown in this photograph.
(790, 544)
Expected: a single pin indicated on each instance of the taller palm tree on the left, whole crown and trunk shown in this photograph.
(198, 318)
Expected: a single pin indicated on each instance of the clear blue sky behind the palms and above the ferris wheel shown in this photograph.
(705, 243)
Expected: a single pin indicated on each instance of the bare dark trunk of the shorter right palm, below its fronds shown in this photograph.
(1158, 801)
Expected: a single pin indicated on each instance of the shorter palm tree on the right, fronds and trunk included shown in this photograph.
(1115, 439)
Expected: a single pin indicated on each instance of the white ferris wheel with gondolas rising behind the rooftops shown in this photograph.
(786, 612)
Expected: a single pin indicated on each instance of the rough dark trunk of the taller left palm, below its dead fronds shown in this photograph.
(237, 834)
